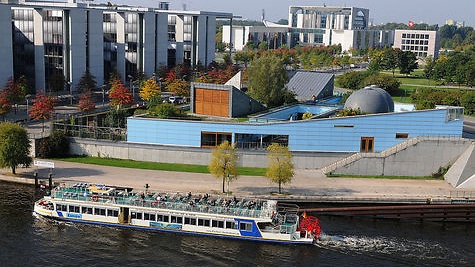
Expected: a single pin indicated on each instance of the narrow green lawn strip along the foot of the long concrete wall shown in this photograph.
(157, 165)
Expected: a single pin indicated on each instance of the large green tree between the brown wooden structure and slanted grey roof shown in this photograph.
(267, 78)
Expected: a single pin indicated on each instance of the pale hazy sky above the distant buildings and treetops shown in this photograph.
(381, 11)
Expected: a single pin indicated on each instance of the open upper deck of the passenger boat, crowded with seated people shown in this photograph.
(203, 203)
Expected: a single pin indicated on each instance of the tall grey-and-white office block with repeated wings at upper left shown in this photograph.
(50, 41)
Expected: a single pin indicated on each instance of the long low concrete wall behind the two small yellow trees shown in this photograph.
(199, 156)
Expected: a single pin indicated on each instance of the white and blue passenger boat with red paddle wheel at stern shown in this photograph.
(199, 214)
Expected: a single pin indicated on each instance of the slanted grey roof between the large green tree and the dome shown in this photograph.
(305, 84)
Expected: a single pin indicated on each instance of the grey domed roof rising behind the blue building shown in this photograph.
(370, 100)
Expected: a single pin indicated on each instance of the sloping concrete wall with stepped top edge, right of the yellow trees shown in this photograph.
(422, 159)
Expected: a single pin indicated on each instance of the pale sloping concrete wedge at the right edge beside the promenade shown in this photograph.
(462, 172)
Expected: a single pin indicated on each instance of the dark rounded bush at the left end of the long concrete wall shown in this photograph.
(54, 146)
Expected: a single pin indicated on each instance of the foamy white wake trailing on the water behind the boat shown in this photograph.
(387, 247)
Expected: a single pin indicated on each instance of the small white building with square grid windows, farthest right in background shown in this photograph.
(421, 43)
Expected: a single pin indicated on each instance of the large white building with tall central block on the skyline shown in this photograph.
(315, 25)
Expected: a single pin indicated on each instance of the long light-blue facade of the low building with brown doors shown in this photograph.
(366, 133)
